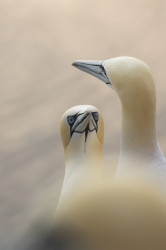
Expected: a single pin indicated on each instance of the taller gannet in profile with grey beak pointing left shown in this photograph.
(133, 82)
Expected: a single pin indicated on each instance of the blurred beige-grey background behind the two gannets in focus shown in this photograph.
(39, 39)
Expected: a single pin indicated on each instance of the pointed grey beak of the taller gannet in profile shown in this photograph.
(94, 68)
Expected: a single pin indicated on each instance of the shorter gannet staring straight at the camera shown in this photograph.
(82, 132)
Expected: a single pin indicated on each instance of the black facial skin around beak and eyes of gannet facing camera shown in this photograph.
(72, 118)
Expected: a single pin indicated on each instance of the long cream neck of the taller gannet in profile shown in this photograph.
(139, 146)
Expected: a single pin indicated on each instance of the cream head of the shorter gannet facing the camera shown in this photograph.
(82, 130)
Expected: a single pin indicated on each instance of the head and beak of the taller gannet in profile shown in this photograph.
(129, 77)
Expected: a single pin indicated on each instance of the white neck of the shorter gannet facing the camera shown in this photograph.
(81, 167)
